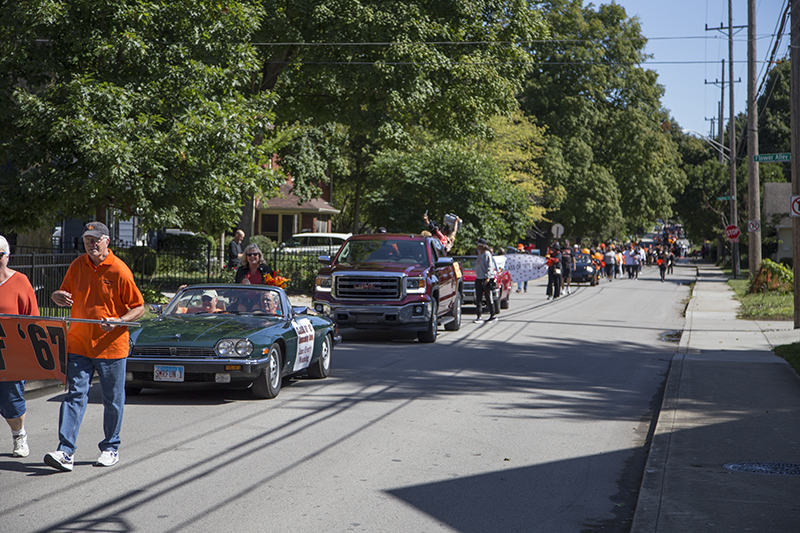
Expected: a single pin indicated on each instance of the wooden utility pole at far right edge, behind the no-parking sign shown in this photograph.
(794, 48)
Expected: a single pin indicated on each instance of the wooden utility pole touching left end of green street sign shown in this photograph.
(753, 185)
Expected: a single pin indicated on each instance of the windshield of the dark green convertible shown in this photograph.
(247, 299)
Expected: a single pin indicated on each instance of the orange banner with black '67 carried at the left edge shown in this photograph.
(32, 348)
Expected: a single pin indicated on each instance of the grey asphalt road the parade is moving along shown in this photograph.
(538, 422)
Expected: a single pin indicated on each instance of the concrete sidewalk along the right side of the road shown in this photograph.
(728, 399)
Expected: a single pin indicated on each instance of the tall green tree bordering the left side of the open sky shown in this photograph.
(615, 160)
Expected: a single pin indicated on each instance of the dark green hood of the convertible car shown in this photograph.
(199, 329)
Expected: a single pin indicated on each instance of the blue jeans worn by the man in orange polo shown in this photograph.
(80, 370)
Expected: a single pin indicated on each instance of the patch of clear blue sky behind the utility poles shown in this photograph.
(685, 55)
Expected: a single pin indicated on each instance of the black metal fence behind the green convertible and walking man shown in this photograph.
(157, 271)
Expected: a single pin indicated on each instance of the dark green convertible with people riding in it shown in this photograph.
(229, 336)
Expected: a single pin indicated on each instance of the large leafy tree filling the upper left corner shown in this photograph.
(143, 106)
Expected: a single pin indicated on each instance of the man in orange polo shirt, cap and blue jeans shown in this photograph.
(100, 286)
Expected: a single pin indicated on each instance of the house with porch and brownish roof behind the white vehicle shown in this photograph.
(279, 218)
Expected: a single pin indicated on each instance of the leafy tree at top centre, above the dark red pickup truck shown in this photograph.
(385, 69)
